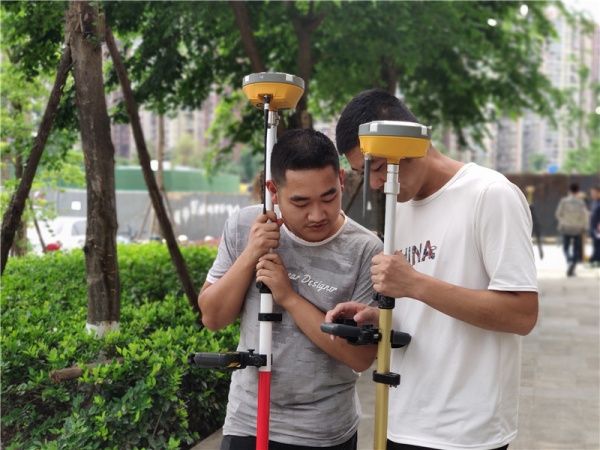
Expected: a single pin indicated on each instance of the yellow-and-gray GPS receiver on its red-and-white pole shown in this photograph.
(269, 91)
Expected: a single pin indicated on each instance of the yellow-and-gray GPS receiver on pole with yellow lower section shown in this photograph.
(392, 140)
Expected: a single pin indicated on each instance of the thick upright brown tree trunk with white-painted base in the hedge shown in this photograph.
(85, 35)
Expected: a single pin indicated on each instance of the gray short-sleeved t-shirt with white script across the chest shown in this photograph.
(313, 397)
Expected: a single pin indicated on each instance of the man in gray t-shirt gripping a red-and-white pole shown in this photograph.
(320, 258)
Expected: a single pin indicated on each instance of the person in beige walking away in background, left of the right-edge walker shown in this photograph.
(572, 216)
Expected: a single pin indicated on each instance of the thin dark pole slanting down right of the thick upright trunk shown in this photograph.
(153, 190)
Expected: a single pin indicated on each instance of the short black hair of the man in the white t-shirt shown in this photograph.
(374, 104)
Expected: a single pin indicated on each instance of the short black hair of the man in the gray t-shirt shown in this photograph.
(302, 149)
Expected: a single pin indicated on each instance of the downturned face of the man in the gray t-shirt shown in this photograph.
(310, 202)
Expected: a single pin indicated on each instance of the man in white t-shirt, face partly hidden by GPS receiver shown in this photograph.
(465, 279)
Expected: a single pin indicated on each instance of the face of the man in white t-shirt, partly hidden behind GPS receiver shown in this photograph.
(407, 173)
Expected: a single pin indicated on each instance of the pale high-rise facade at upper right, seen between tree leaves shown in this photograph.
(532, 143)
